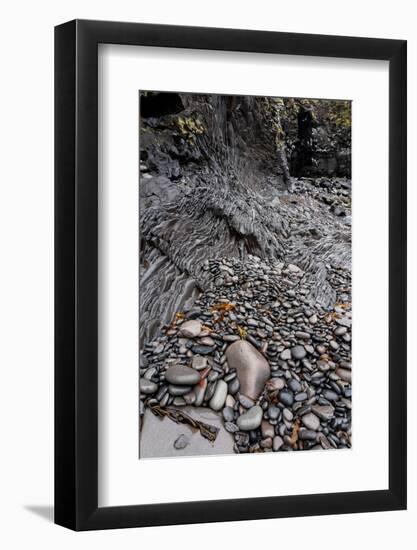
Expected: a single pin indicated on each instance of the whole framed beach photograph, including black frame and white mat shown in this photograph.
(230, 285)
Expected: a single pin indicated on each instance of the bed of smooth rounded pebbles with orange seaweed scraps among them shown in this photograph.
(254, 349)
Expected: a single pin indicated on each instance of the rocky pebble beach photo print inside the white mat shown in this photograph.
(245, 274)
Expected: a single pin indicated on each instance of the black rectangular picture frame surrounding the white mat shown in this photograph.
(76, 271)
